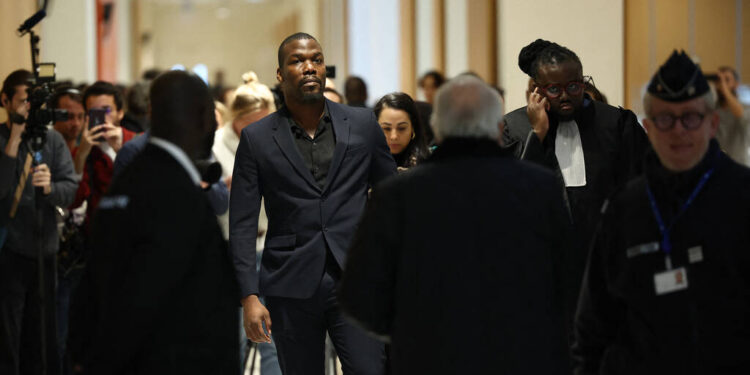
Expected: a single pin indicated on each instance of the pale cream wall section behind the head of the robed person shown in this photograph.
(593, 29)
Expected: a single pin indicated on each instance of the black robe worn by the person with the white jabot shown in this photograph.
(613, 146)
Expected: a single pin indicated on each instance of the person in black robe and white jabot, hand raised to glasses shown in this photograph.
(593, 147)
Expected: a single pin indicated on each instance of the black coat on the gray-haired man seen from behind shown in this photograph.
(459, 262)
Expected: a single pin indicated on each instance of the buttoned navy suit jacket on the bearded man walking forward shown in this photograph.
(303, 219)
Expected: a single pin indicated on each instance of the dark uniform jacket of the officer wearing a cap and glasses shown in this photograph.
(623, 326)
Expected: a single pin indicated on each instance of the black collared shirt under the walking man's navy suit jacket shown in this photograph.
(317, 152)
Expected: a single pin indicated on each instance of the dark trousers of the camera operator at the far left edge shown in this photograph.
(20, 315)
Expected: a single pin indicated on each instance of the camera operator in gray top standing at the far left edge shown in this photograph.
(48, 182)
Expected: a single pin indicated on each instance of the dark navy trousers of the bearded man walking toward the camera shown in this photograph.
(299, 330)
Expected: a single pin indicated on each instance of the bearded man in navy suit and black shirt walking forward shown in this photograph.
(313, 162)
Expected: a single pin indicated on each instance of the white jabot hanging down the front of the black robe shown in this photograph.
(569, 154)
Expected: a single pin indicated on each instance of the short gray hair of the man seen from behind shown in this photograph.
(465, 107)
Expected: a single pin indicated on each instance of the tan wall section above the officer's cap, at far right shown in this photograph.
(706, 29)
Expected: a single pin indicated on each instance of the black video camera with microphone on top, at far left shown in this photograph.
(41, 111)
